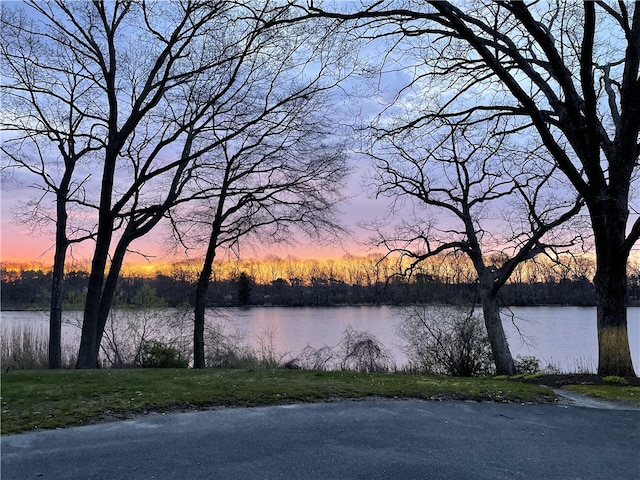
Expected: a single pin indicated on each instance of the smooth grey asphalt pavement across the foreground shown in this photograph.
(372, 439)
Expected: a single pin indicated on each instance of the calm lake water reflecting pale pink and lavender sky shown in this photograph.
(562, 336)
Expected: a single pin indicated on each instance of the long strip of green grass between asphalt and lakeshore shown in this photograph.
(44, 399)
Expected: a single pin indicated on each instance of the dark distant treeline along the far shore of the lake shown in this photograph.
(30, 290)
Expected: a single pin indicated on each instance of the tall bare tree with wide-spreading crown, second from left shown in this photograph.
(148, 77)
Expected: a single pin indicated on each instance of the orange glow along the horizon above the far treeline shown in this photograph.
(353, 270)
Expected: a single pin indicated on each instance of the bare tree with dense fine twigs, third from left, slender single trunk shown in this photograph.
(284, 173)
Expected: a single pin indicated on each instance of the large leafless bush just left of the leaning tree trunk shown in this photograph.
(446, 341)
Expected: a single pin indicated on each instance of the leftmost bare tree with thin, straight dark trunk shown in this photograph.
(45, 129)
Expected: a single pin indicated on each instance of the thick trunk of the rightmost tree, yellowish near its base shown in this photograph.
(614, 355)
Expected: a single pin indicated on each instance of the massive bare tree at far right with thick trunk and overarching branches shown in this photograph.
(567, 76)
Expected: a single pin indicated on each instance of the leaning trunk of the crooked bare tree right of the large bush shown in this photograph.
(497, 338)
